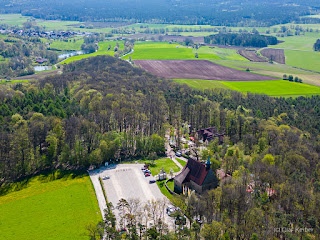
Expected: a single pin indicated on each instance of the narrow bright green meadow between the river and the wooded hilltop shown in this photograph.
(103, 50)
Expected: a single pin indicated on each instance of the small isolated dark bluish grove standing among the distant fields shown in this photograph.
(241, 39)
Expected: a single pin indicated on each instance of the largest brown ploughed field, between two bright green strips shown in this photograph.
(197, 69)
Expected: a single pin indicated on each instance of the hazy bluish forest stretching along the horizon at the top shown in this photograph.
(248, 13)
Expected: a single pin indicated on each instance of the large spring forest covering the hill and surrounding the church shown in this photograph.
(103, 109)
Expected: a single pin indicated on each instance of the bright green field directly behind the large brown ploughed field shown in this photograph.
(164, 50)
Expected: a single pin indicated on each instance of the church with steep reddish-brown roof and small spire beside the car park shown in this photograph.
(196, 176)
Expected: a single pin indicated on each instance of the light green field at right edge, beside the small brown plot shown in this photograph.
(303, 59)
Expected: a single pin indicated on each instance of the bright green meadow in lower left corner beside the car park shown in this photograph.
(59, 209)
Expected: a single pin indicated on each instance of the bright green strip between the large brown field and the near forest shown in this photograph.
(272, 88)
